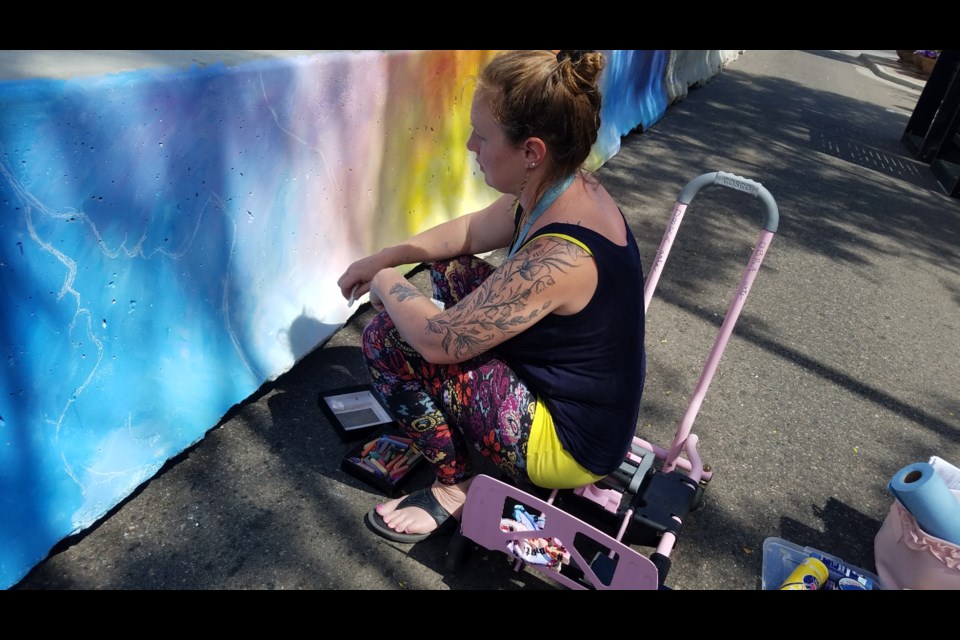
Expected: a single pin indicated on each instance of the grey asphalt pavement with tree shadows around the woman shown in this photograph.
(841, 370)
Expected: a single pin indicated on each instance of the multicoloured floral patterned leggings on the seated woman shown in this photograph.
(446, 409)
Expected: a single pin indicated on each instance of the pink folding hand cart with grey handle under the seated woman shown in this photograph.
(643, 503)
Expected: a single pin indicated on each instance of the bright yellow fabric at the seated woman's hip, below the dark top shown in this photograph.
(549, 465)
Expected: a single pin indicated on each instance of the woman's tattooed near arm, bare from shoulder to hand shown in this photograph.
(549, 275)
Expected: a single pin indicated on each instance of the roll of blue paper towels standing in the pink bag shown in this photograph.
(929, 500)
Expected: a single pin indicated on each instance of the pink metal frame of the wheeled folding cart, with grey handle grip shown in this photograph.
(614, 564)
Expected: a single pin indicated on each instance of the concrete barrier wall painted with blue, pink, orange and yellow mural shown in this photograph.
(170, 240)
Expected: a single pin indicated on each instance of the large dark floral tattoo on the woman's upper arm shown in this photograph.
(498, 309)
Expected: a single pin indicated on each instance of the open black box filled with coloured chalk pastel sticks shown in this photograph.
(385, 460)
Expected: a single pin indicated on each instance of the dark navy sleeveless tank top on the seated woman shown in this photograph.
(589, 367)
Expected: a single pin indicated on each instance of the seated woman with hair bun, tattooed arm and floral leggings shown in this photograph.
(538, 363)
